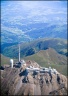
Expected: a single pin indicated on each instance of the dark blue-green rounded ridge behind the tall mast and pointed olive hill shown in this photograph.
(27, 49)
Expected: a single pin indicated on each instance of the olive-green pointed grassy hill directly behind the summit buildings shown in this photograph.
(51, 58)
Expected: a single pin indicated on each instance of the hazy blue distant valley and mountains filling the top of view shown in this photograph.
(33, 22)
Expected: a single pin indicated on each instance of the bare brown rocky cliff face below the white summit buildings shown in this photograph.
(15, 81)
